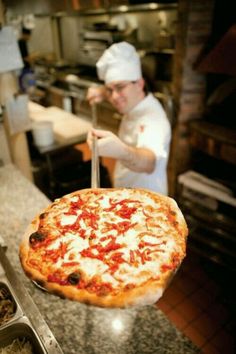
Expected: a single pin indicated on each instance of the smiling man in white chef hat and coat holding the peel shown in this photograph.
(141, 148)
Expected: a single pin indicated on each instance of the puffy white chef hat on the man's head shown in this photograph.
(119, 62)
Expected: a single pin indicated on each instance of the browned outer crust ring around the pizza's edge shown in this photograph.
(147, 293)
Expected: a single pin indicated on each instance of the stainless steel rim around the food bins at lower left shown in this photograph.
(26, 322)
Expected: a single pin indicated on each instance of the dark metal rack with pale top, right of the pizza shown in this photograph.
(209, 209)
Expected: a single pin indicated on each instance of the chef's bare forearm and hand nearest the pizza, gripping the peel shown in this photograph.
(109, 145)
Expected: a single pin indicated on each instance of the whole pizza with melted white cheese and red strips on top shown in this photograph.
(114, 247)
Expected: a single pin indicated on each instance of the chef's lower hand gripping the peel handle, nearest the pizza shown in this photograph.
(108, 144)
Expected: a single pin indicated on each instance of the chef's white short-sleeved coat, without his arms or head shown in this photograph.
(145, 126)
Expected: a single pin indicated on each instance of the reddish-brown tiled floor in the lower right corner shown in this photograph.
(198, 303)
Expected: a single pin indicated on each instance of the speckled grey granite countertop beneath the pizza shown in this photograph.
(79, 328)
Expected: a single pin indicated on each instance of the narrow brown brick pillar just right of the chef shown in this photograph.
(189, 87)
